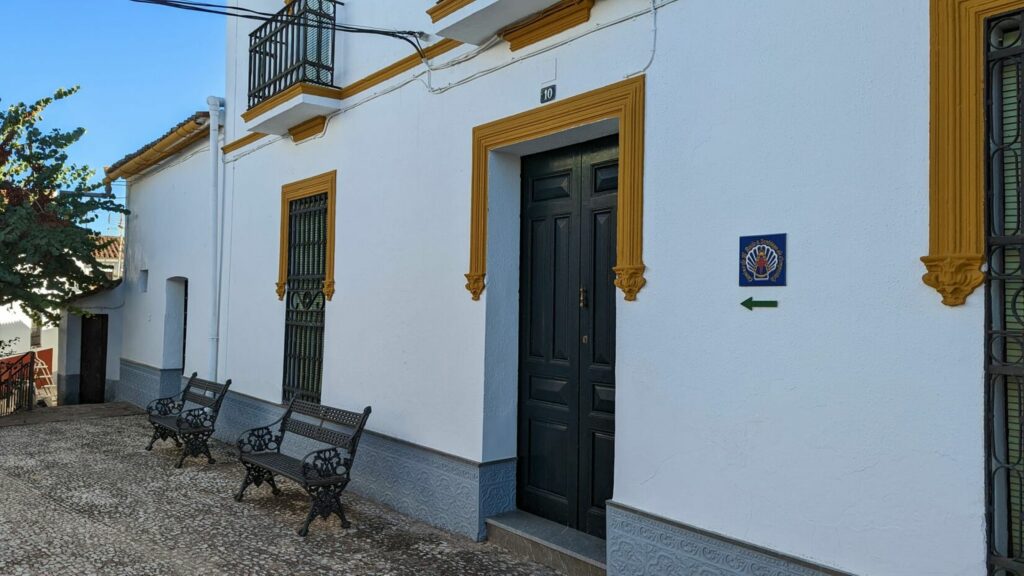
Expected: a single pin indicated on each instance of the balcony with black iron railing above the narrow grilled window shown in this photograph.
(291, 68)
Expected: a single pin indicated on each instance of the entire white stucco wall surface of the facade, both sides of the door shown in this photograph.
(844, 428)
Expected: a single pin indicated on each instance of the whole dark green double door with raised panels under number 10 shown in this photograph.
(568, 335)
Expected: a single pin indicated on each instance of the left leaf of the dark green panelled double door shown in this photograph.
(549, 382)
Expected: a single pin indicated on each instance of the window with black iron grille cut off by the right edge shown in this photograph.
(1005, 298)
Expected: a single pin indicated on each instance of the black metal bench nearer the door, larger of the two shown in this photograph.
(324, 474)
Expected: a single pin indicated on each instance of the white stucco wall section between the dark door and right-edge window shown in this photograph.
(847, 426)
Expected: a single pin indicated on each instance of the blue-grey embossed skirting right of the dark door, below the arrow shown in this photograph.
(642, 545)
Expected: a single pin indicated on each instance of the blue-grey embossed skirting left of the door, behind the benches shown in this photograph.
(443, 490)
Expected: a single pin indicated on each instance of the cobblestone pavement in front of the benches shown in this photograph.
(84, 498)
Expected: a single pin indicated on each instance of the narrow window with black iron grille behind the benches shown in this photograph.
(308, 241)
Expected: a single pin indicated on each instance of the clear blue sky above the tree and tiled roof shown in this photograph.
(142, 69)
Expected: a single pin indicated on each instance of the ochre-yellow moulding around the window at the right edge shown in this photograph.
(957, 231)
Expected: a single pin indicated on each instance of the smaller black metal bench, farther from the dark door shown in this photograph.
(194, 427)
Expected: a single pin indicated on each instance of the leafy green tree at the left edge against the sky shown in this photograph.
(47, 250)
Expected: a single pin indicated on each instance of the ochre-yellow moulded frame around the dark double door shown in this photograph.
(623, 101)
